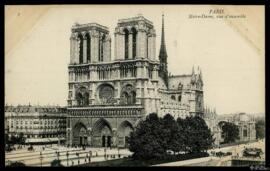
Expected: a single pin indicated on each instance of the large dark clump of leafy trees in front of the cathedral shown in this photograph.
(154, 136)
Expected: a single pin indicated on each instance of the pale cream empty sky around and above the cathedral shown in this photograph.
(229, 53)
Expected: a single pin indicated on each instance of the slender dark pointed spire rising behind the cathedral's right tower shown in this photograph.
(163, 71)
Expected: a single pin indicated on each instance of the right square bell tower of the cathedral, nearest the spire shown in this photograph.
(135, 39)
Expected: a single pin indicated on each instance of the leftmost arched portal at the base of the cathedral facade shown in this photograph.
(80, 134)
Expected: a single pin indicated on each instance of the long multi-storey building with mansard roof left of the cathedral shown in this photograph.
(38, 124)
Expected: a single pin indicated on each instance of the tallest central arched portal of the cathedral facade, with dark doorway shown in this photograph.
(102, 133)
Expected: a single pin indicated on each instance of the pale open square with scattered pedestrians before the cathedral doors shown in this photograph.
(35, 158)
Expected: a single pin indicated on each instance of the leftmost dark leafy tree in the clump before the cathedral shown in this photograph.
(146, 141)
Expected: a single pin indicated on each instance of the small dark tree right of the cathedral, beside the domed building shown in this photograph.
(230, 131)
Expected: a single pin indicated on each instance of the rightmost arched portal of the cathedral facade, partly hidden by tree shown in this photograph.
(124, 130)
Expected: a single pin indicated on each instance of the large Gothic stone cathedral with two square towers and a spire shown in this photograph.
(107, 97)
